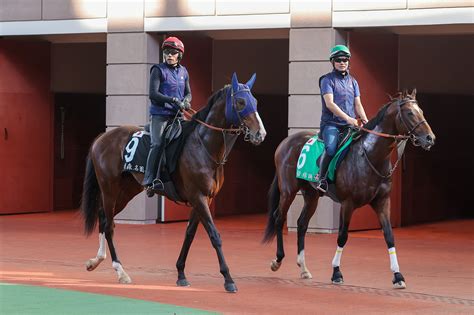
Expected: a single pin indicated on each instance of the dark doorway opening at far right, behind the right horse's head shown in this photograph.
(437, 184)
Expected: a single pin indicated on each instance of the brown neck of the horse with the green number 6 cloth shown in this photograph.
(379, 148)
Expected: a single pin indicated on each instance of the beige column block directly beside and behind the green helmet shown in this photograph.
(310, 44)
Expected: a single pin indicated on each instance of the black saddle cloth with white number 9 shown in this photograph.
(135, 152)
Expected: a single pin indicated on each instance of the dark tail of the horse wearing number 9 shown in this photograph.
(90, 197)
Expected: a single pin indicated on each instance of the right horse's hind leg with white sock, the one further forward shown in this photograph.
(311, 198)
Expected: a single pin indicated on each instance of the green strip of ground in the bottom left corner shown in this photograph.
(26, 299)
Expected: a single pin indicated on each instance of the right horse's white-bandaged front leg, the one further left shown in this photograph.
(344, 221)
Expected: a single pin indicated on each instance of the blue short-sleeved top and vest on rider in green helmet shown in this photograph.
(344, 89)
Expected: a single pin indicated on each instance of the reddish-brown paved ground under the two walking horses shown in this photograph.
(437, 261)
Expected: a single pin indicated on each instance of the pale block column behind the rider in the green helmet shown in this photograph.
(311, 38)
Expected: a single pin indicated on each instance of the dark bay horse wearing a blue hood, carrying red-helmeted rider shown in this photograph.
(197, 179)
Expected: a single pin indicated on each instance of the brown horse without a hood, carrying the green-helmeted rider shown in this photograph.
(363, 177)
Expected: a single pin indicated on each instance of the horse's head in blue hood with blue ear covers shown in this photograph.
(241, 110)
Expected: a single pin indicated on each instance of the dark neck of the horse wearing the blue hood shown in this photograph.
(217, 143)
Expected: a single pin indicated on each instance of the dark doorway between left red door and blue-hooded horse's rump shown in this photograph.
(79, 118)
